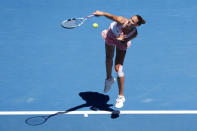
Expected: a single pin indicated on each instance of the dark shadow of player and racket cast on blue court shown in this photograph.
(94, 100)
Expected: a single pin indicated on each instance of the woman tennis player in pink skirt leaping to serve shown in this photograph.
(119, 34)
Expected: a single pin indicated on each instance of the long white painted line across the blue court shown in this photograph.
(100, 112)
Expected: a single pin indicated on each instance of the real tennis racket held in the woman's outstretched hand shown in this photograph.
(74, 22)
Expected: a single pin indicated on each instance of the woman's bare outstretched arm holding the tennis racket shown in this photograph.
(118, 19)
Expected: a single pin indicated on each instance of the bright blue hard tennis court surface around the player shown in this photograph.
(44, 67)
